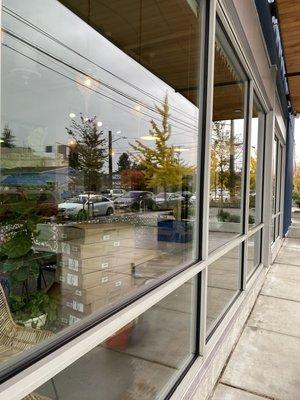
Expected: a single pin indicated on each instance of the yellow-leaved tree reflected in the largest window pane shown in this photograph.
(161, 164)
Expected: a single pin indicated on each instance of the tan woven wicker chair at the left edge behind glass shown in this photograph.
(14, 338)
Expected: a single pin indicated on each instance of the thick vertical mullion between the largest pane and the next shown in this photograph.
(207, 100)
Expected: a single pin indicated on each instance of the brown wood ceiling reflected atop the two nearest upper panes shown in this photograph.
(162, 36)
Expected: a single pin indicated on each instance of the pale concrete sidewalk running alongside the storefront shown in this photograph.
(266, 361)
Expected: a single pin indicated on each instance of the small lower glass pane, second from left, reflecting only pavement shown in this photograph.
(224, 283)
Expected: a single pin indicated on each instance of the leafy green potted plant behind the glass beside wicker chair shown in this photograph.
(21, 266)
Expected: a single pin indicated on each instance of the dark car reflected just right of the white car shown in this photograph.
(136, 200)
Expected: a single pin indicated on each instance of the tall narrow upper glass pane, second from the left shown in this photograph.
(227, 144)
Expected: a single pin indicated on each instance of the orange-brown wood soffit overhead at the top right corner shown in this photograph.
(289, 23)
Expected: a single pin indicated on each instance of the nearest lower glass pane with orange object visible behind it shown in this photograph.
(143, 358)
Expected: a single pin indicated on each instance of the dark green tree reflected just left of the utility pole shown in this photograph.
(91, 149)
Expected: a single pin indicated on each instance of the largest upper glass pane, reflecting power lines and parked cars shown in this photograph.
(98, 155)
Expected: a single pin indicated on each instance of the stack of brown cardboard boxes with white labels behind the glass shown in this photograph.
(96, 267)
